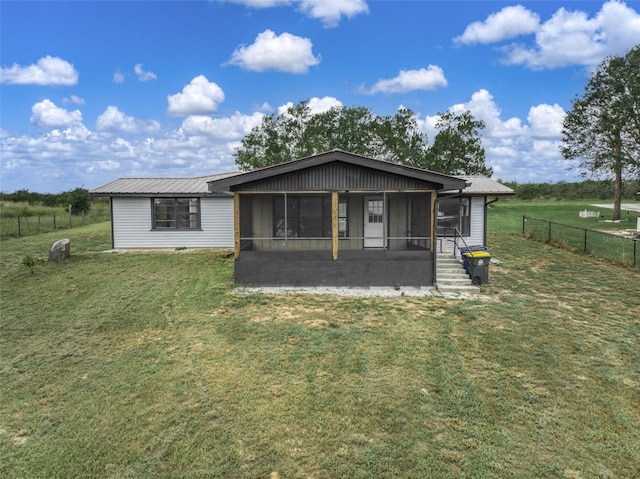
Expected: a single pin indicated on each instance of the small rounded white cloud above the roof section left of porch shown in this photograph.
(199, 97)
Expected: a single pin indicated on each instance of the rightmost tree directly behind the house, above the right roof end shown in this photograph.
(457, 148)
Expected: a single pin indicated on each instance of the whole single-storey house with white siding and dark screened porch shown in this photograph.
(335, 218)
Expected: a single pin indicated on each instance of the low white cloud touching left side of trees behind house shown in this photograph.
(234, 127)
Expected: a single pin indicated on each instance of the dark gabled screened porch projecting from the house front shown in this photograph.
(335, 219)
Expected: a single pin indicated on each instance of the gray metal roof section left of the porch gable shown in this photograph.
(159, 186)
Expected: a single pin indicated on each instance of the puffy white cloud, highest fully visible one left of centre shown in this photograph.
(286, 53)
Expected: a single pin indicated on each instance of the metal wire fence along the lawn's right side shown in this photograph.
(622, 249)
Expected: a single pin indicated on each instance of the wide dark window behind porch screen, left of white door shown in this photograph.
(307, 217)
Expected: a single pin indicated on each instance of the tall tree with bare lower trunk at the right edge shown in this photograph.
(602, 129)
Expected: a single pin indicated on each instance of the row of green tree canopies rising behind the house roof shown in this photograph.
(298, 133)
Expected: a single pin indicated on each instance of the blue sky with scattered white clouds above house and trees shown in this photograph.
(94, 91)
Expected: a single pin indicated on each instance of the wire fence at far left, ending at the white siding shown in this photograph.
(28, 225)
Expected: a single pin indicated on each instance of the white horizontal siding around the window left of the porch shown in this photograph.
(132, 228)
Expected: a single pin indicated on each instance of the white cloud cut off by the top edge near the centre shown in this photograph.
(328, 12)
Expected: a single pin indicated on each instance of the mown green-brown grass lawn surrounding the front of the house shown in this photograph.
(148, 365)
